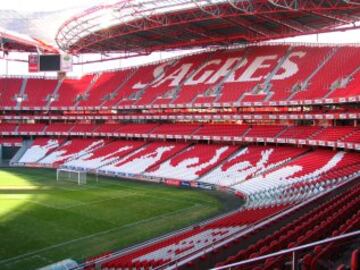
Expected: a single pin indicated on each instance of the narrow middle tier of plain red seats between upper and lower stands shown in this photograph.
(340, 133)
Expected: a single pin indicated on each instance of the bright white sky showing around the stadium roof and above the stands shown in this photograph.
(24, 6)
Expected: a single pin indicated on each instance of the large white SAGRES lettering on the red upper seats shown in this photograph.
(254, 71)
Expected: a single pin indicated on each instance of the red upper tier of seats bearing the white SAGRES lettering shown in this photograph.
(253, 74)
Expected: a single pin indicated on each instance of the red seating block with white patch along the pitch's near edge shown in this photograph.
(191, 241)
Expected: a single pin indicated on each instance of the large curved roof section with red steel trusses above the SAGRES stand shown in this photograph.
(149, 25)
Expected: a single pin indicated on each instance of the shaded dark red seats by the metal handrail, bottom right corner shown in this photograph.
(334, 215)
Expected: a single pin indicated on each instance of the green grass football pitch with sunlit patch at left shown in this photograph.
(42, 221)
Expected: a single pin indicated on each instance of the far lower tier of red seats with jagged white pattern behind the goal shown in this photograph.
(262, 174)
